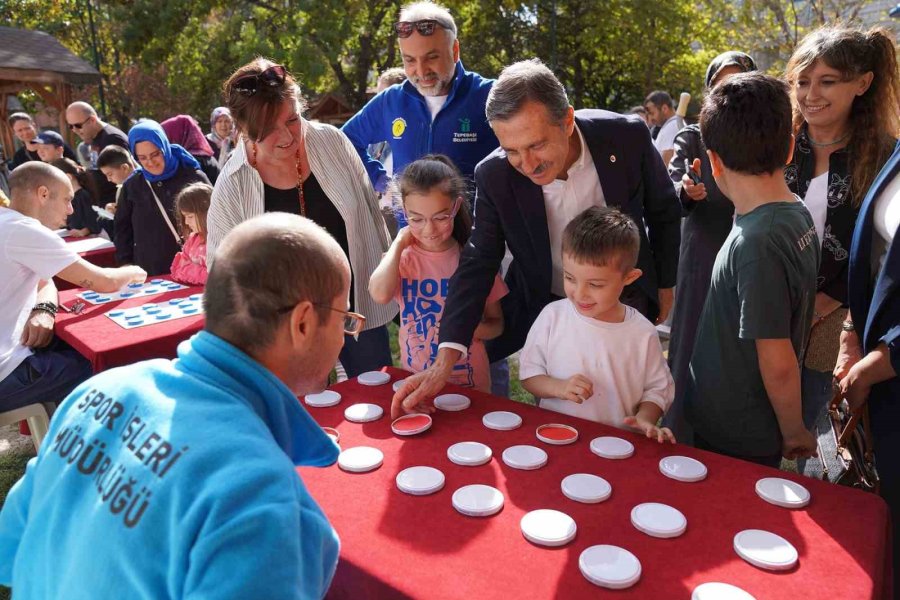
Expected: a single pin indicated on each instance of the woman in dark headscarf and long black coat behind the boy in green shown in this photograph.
(708, 219)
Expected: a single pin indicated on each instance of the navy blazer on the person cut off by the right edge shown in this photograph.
(875, 304)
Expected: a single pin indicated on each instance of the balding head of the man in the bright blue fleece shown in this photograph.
(265, 267)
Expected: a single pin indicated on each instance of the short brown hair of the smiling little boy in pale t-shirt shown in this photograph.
(602, 236)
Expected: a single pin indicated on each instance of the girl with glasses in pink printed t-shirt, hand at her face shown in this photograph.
(416, 270)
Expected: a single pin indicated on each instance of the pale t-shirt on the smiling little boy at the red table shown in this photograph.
(623, 360)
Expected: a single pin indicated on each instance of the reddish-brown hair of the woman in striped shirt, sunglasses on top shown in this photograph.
(256, 114)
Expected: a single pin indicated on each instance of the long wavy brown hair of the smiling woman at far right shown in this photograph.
(875, 115)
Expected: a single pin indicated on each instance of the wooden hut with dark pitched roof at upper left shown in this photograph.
(34, 60)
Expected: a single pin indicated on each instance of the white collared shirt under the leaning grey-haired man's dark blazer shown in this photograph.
(564, 200)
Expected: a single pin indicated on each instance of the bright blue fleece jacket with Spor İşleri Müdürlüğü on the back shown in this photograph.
(173, 479)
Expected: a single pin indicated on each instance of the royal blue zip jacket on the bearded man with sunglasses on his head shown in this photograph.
(400, 116)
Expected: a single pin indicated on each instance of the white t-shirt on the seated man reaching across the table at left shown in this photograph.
(29, 254)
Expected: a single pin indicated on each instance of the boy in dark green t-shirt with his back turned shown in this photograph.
(743, 391)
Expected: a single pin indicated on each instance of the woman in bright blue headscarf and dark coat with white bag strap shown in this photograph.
(146, 233)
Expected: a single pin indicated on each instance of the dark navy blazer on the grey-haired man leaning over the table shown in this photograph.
(509, 210)
